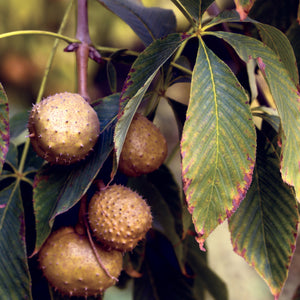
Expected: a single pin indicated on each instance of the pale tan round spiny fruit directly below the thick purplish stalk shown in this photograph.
(63, 128)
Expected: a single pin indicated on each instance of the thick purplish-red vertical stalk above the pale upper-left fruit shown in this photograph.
(82, 52)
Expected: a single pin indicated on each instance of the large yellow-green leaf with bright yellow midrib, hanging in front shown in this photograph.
(218, 144)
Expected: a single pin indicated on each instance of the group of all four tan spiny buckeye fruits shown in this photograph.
(63, 129)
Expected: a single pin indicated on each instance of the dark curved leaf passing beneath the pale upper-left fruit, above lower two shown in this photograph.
(57, 188)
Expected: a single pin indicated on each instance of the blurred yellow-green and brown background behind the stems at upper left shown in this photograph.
(23, 58)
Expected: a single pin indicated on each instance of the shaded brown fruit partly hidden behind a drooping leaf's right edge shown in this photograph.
(144, 148)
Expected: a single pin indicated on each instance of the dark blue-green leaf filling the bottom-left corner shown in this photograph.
(14, 272)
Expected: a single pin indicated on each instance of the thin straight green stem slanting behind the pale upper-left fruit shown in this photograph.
(45, 77)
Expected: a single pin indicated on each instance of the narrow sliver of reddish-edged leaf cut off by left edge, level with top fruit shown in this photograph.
(4, 127)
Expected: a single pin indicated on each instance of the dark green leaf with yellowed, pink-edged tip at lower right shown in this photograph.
(264, 228)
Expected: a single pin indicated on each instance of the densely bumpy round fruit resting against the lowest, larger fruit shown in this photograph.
(119, 218)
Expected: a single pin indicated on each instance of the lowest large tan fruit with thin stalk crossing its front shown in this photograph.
(70, 265)
